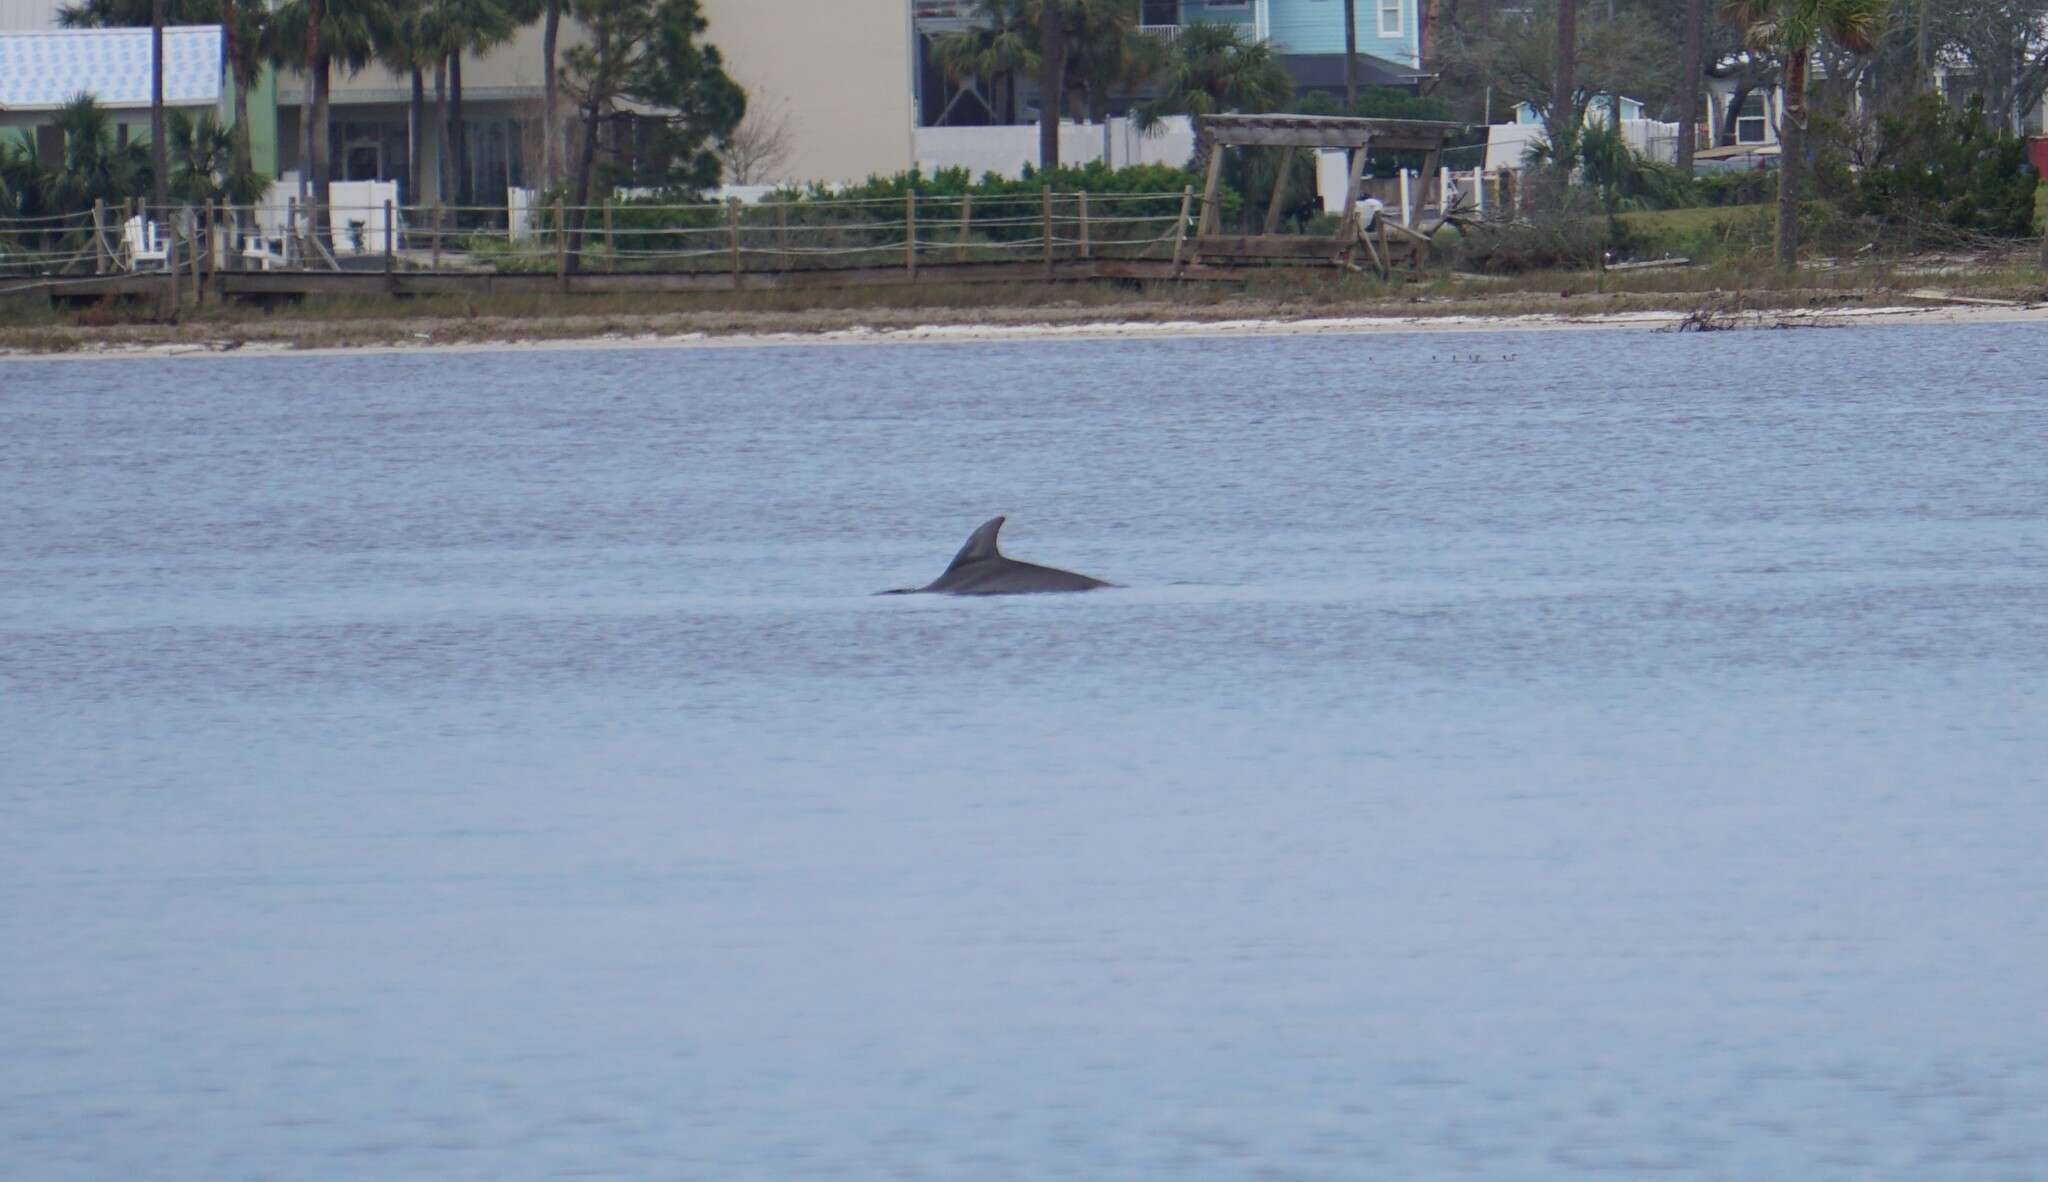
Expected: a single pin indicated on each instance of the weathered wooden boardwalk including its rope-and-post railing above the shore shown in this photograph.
(910, 241)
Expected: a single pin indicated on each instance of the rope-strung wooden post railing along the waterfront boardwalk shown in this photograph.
(613, 239)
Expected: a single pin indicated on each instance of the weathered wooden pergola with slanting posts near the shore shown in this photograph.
(1385, 247)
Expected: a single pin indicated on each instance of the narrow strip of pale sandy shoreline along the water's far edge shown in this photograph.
(1021, 329)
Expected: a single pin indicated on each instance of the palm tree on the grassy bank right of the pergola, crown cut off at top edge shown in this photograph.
(1791, 30)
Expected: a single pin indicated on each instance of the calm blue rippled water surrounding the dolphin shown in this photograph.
(1508, 757)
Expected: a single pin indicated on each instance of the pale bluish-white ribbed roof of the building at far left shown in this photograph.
(48, 69)
